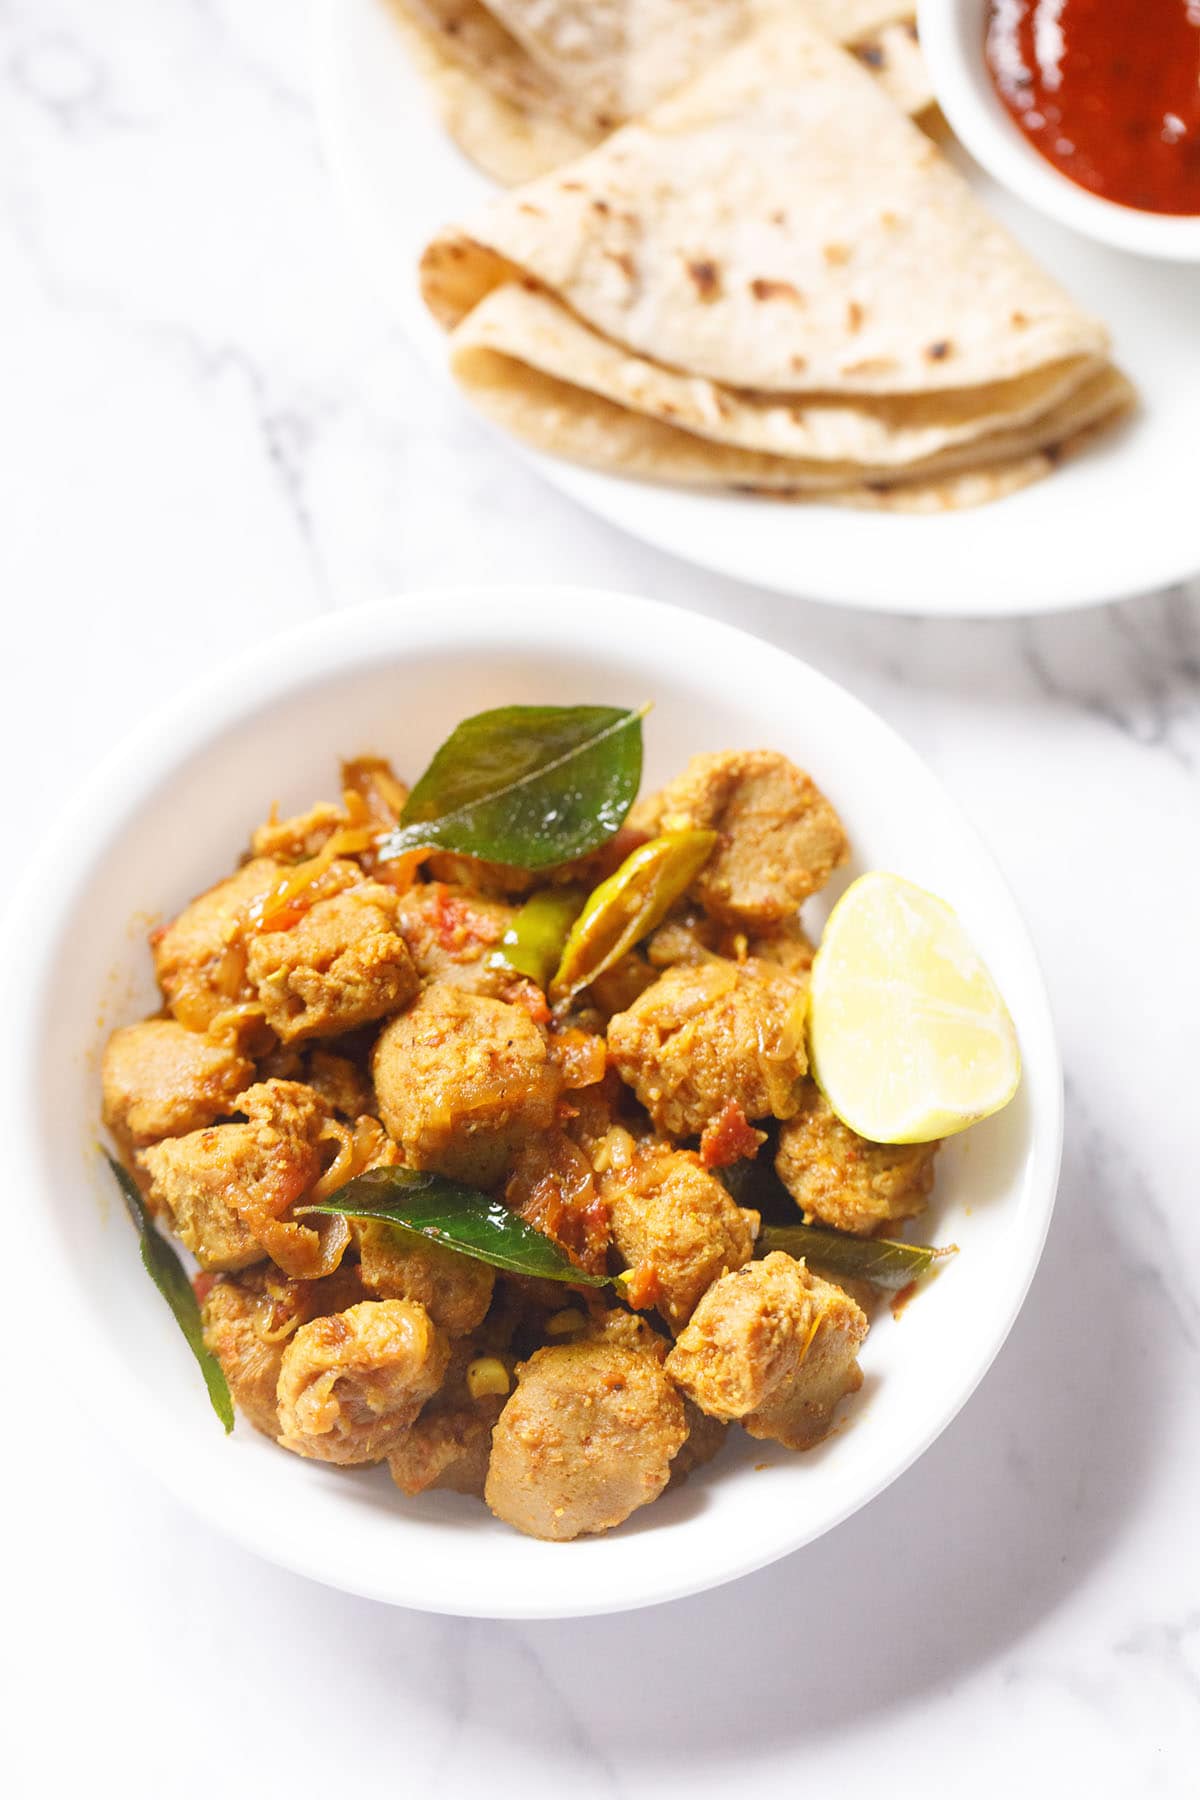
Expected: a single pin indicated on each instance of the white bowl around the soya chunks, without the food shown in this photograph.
(172, 811)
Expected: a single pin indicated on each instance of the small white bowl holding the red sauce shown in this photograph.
(953, 40)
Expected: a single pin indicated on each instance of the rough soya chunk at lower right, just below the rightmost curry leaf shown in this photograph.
(775, 1347)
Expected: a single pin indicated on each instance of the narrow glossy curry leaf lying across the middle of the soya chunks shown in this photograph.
(458, 1218)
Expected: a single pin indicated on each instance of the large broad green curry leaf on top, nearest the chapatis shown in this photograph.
(528, 786)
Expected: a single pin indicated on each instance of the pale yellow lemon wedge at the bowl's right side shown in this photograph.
(909, 1038)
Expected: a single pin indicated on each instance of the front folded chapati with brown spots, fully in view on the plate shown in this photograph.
(773, 282)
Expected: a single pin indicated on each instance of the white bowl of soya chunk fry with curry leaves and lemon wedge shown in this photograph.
(445, 989)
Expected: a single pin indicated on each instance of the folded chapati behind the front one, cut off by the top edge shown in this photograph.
(526, 85)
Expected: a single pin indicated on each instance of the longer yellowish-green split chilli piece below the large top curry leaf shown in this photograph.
(627, 908)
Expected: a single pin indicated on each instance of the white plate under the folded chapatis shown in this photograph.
(1120, 521)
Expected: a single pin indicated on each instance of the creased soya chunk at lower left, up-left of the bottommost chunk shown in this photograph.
(352, 1383)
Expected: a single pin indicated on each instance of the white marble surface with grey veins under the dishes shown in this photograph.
(210, 431)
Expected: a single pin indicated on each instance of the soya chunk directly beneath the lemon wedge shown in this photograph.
(846, 1182)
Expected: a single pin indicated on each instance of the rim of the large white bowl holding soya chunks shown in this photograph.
(334, 645)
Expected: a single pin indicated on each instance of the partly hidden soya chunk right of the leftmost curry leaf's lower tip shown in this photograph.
(249, 1320)
